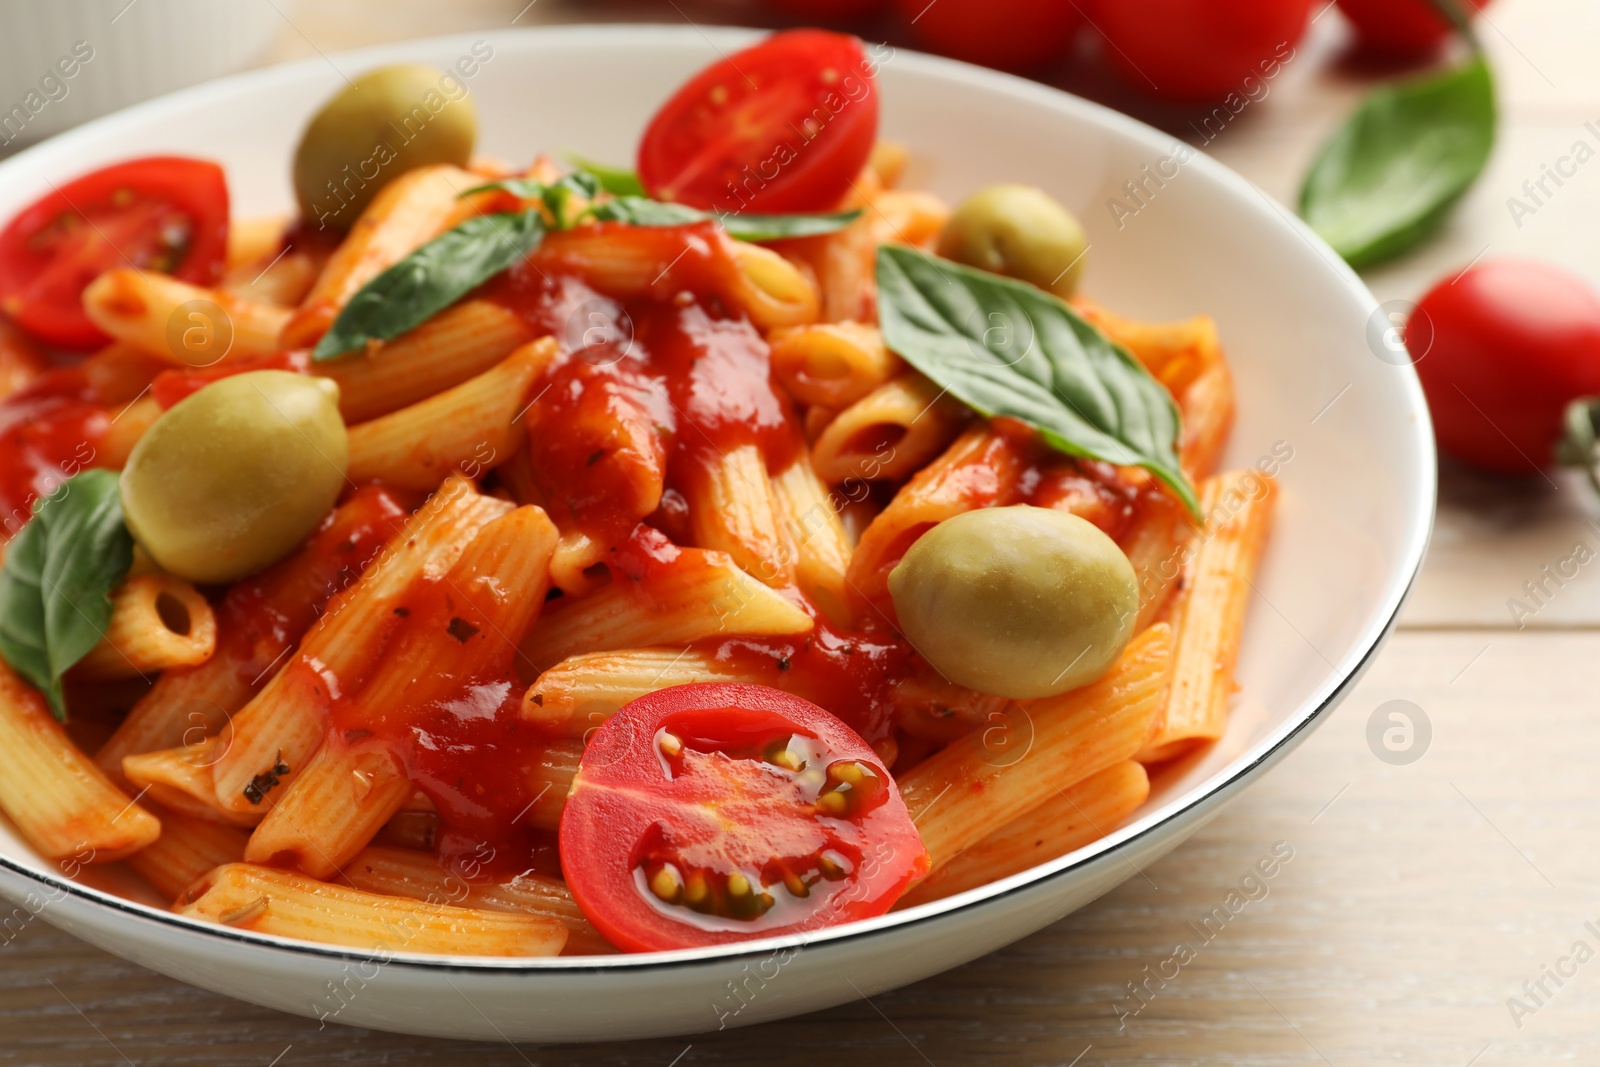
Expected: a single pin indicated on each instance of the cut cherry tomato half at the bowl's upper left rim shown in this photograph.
(161, 214)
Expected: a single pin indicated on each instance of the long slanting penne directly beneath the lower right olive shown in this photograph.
(988, 778)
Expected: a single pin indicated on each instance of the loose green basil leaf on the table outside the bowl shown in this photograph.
(1391, 175)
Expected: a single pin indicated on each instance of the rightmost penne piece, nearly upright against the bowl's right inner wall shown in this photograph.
(1209, 612)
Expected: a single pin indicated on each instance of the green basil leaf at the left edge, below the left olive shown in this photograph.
(55, 586)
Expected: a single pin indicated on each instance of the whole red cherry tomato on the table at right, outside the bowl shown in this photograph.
(1514, 342)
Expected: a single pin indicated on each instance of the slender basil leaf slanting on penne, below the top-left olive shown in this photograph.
(431, 279)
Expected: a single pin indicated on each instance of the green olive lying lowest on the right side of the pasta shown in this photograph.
(1020, 602)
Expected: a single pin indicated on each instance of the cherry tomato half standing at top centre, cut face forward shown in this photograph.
(780, 127)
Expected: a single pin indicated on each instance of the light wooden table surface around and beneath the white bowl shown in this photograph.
(1418, 898)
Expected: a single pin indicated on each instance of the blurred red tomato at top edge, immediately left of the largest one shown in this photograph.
(1007, 34)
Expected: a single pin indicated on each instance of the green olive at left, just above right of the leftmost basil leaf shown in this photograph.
(236, 476)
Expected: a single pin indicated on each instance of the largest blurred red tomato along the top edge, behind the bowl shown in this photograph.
(1201, 50)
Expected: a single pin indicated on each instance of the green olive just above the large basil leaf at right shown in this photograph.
(1018, 231)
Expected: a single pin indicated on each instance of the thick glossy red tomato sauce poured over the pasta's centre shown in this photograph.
(650, 388)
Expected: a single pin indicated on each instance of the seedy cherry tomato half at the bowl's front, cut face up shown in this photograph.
(714, 813)
